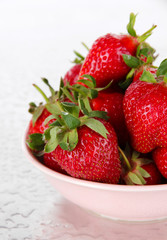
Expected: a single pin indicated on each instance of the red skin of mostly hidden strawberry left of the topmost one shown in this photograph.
(72, 75)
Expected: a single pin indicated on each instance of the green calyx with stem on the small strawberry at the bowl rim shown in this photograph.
(133, 172)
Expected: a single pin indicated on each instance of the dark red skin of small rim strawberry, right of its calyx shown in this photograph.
(155, 176)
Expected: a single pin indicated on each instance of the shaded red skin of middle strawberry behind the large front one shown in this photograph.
(112, 103)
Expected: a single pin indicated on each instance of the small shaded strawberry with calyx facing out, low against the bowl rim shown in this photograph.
(138, 169)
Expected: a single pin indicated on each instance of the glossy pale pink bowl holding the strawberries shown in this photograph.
(118, 202)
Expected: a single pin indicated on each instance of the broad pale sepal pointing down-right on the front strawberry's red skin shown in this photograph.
(96, 126)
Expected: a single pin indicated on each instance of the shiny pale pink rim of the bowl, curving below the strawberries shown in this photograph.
(86, 183)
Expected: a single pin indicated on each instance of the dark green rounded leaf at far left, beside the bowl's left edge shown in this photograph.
(35, 141)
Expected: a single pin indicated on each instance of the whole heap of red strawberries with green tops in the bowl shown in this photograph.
(108, 120)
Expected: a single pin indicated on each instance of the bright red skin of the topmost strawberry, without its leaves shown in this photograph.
(104, 60)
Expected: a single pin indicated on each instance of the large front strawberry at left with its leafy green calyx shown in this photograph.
(84, 145)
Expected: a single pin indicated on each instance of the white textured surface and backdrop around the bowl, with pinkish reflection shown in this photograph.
(37, 39)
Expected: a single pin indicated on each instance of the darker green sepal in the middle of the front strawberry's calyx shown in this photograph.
(70, 121)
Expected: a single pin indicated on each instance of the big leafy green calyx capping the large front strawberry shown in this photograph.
(69, 117)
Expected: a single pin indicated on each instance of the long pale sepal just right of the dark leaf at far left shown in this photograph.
(54, 140)
